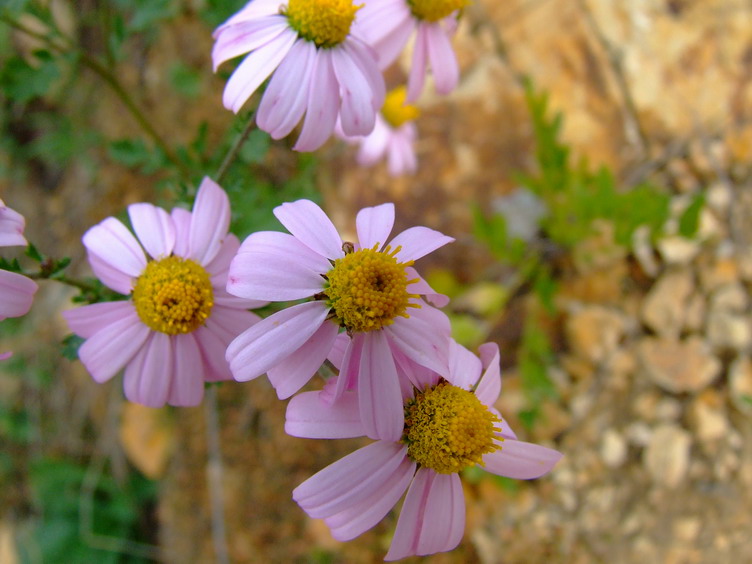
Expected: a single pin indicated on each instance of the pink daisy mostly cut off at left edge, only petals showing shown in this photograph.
(16, 291)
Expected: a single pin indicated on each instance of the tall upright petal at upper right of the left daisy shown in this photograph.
(210, 221)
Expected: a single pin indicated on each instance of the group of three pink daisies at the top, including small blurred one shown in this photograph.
(325, 59)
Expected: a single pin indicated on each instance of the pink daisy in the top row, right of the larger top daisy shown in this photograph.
(388, 24)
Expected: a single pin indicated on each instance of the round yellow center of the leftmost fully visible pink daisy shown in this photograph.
(173, 295)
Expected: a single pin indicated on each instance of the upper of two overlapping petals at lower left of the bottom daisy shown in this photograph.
(352, 479)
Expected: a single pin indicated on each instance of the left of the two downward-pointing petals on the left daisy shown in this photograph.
(147, 377)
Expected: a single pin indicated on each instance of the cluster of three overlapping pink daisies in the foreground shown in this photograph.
(427, 402)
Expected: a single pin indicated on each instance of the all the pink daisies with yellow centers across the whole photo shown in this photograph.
(401, 380)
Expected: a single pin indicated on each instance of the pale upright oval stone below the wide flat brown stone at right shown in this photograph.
(667, 455)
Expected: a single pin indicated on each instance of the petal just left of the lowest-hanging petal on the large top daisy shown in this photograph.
(284, 100)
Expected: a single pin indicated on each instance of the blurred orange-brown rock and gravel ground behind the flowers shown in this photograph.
(653, 363)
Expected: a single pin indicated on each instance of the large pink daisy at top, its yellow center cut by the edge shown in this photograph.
(317, 68)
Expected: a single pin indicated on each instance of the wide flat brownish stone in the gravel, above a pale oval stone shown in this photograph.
(678, 366)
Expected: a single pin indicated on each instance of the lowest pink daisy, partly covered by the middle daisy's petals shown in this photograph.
(450, 424)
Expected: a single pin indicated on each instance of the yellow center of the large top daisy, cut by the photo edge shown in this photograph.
(325, 22)
